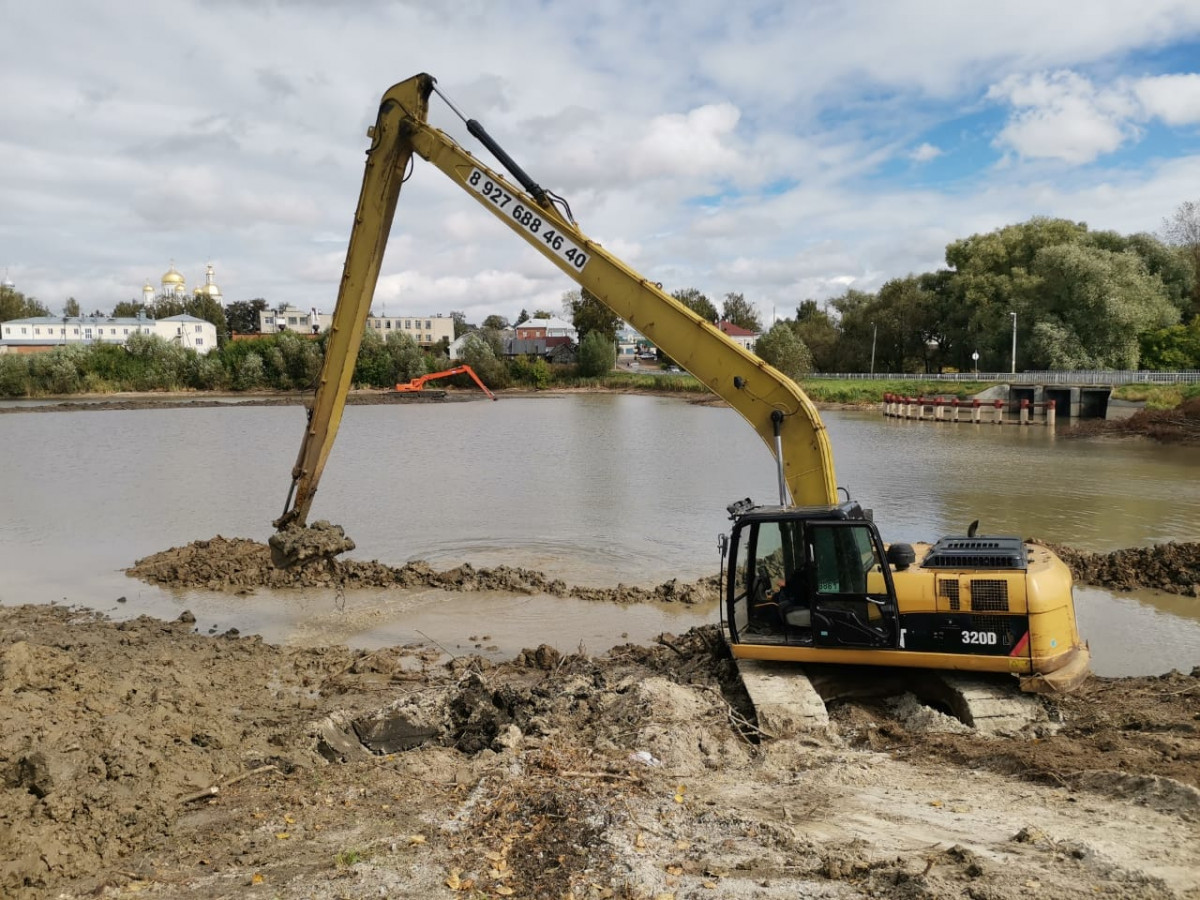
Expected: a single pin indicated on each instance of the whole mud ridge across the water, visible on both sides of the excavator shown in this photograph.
(239, 566)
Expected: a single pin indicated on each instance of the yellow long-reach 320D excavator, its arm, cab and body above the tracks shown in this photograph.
(807, 580)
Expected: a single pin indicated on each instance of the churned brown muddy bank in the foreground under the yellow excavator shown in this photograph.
(142, 758)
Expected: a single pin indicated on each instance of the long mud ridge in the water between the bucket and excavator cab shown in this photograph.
(239, 566)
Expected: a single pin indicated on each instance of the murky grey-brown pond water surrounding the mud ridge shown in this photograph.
(593, 489)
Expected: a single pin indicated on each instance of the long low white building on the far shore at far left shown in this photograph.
(45, 333)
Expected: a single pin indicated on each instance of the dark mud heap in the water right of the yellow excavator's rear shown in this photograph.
(1174, 568)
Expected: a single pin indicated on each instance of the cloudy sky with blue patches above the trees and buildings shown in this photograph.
(782, 151)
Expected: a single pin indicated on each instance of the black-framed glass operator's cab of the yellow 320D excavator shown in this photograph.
(809, 578)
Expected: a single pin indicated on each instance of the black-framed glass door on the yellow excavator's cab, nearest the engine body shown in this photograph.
(854, 597)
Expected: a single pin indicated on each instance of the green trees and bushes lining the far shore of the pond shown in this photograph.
(1073, 299)
